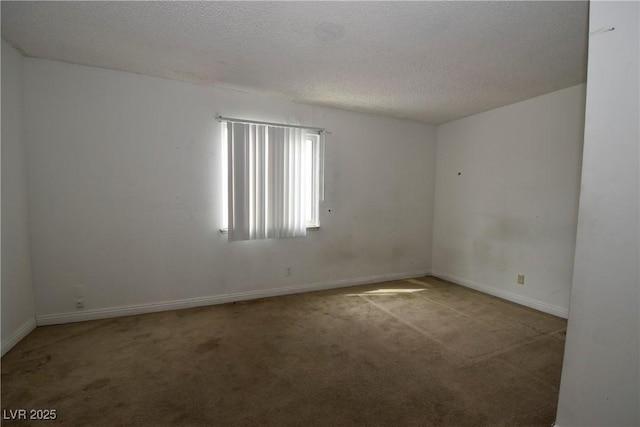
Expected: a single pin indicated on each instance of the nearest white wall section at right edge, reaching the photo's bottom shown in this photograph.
(600, 378)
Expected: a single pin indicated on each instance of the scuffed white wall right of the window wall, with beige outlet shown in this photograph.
(507, 184)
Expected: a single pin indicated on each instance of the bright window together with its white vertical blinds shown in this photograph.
(272, 180)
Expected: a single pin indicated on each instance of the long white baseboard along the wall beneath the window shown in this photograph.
(103, 313)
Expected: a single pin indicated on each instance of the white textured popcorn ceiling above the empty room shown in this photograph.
(427, 61)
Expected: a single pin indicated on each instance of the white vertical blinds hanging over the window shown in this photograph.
(266, 194)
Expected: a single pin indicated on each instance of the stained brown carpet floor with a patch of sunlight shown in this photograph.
(416, 352)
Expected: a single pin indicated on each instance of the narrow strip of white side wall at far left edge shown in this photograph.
(18, 315)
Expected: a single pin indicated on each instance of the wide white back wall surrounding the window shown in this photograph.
(125, 197)
